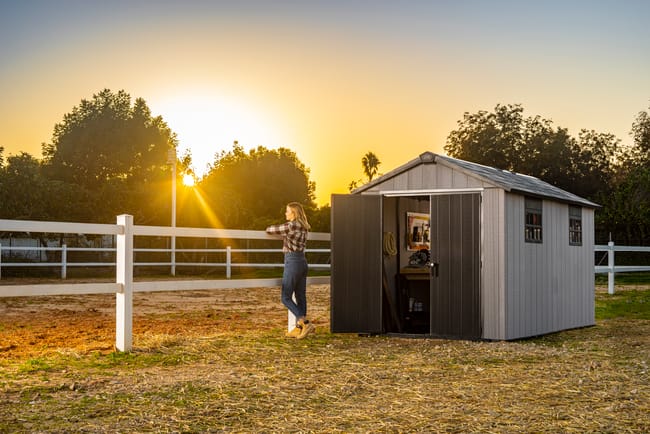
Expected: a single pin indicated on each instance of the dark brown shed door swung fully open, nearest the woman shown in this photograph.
(356, 273)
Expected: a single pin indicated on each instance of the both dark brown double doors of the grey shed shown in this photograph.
(356, 283)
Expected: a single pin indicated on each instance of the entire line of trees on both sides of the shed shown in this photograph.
(110, 156)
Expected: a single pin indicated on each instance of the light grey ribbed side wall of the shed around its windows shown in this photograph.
(549, 286)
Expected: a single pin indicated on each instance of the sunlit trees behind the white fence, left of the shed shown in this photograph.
(111, 156)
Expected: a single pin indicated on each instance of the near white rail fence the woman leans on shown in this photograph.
(124, 286)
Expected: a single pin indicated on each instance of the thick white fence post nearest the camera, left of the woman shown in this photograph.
(124, 277)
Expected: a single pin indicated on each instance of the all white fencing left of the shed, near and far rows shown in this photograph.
(124, 252)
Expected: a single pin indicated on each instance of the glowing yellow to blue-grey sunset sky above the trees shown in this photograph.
(331, 80)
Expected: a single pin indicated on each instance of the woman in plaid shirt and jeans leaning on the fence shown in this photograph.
(294, 278)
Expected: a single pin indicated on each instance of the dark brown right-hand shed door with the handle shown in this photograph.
(455, 252)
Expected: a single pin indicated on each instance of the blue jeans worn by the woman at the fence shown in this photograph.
(294, 283)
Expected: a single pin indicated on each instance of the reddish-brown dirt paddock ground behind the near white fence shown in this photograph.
(35, 326)
